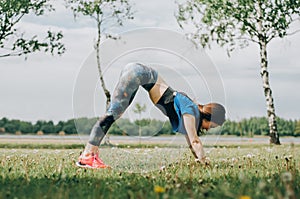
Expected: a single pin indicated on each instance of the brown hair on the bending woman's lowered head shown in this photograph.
(213, 112)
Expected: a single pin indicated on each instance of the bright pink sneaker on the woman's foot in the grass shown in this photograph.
(91, 161)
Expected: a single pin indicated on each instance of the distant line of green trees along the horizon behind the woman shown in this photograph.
(147, 127)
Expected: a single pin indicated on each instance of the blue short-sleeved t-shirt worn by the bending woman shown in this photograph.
(184, 105)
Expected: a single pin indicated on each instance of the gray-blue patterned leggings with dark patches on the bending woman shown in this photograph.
(132, 76)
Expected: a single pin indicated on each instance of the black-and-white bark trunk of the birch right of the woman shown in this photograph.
(274, 137)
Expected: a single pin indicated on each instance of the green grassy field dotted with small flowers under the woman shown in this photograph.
(250, 171)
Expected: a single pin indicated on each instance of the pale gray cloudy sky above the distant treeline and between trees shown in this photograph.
(44, 87)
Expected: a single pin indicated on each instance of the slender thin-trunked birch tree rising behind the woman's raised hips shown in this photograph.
(106, 14)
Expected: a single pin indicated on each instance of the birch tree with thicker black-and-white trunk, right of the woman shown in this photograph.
(235, 23)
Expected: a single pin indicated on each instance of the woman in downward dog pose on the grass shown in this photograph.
(185, 116)
